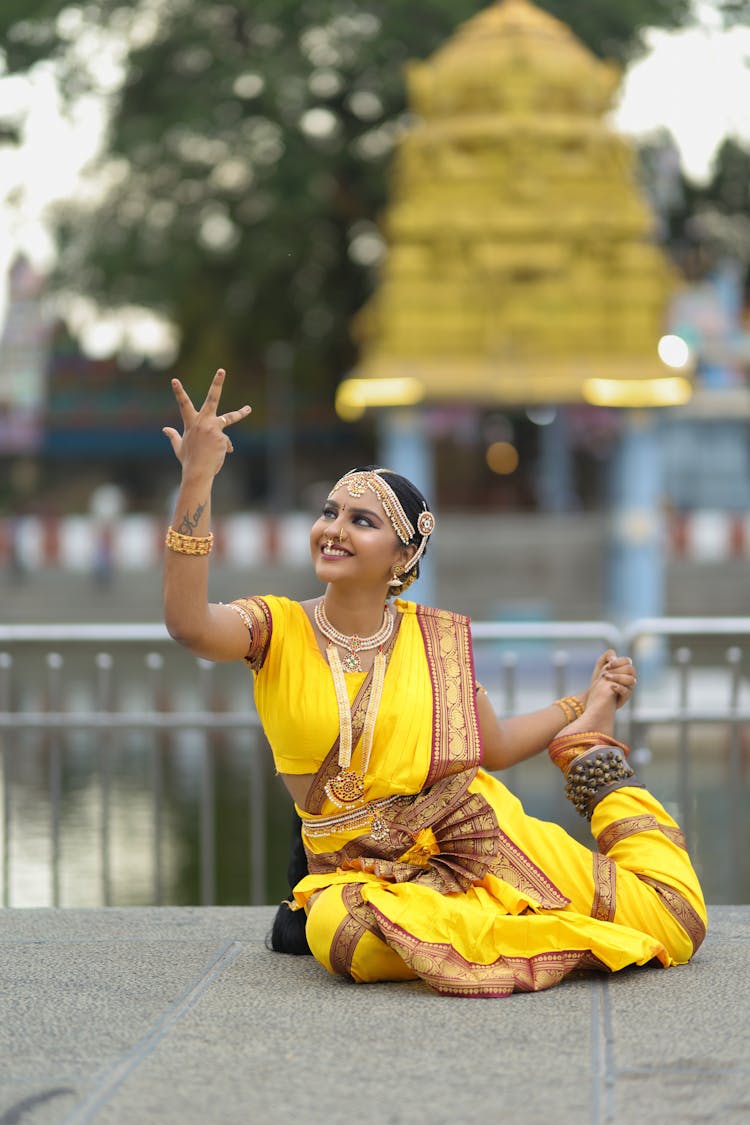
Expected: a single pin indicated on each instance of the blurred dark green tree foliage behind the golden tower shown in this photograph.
(248, 156)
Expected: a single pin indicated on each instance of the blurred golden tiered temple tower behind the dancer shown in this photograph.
(520, 264)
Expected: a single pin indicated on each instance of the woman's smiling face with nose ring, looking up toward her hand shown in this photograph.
(354, 539)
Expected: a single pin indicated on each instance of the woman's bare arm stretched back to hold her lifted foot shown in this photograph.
(508, 742)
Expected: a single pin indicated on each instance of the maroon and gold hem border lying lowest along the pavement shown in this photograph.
(448, 973)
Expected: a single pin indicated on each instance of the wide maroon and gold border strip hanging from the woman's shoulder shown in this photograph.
(456, 739)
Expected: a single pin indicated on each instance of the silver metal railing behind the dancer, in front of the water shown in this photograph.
(62, 685)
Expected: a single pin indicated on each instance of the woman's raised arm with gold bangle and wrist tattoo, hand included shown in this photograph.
(212, 632)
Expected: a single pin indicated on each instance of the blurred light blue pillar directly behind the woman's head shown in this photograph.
(405, 447)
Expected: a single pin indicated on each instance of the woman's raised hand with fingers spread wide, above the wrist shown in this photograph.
(202, 447)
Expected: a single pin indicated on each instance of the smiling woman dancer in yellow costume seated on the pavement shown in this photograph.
(419, 863)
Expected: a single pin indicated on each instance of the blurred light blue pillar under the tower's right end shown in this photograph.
(637, 564)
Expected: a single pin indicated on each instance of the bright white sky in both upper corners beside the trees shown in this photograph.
(694, 83)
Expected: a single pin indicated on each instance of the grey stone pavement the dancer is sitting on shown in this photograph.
(133, 1016)
